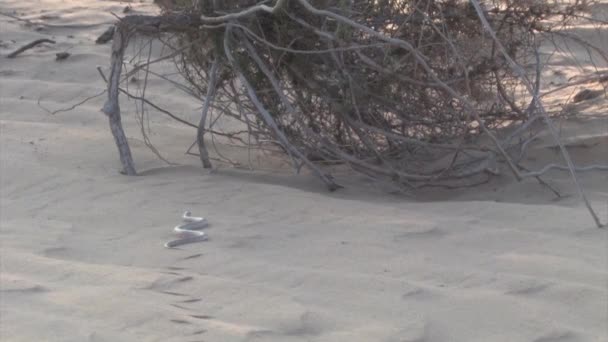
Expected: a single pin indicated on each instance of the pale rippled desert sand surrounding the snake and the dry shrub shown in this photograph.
(81, 246)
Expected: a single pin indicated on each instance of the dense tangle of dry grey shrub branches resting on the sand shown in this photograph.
(427, 92)
